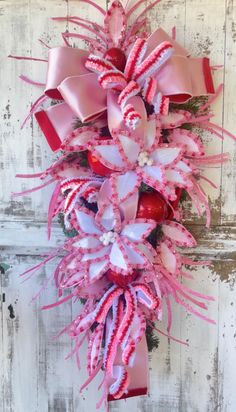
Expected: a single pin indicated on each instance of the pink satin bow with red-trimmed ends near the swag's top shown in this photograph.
(180, 78)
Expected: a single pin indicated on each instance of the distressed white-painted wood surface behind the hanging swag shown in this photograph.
(35, 377)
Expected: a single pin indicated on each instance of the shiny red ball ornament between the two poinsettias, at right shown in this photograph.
(152, 206)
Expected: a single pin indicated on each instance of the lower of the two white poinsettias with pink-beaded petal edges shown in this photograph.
(107, 243)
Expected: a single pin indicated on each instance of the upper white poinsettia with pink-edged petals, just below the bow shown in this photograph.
(135, 160)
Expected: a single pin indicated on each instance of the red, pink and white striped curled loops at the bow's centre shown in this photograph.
(137, 76)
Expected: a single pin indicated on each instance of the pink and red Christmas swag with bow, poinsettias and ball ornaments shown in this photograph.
(125, 118)
